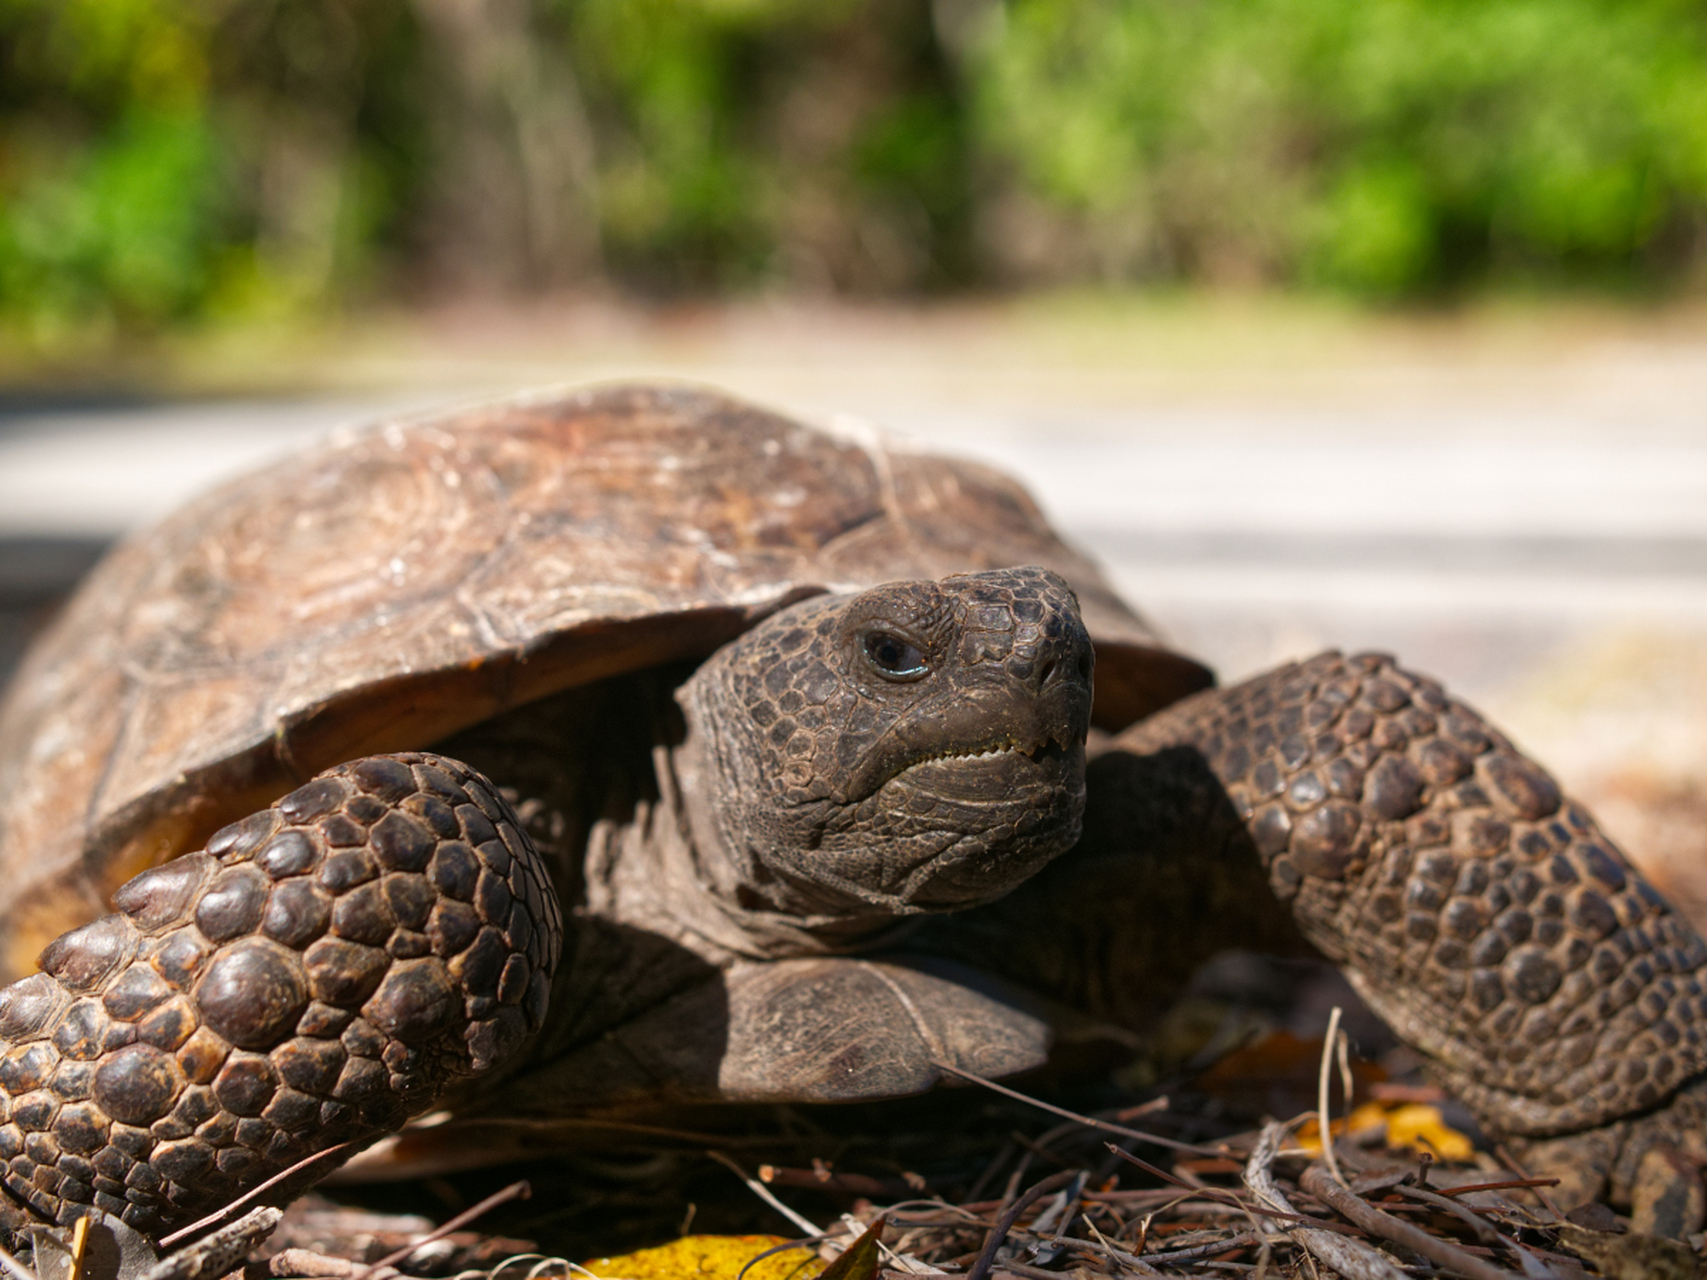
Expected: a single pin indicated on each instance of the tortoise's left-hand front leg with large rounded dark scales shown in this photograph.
(305, 986)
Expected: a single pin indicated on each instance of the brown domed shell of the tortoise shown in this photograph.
(392, 586)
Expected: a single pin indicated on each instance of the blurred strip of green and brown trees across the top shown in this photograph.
(170, 161)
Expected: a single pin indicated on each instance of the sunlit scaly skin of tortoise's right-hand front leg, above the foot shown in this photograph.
(1484, 917)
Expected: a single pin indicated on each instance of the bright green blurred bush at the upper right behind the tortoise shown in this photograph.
(1384, 146)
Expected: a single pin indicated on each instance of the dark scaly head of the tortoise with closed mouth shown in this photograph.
(912, 748)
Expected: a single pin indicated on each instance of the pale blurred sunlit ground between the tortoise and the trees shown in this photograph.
(1513, 501)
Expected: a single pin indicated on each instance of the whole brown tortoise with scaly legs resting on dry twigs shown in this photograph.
(632, 747)
